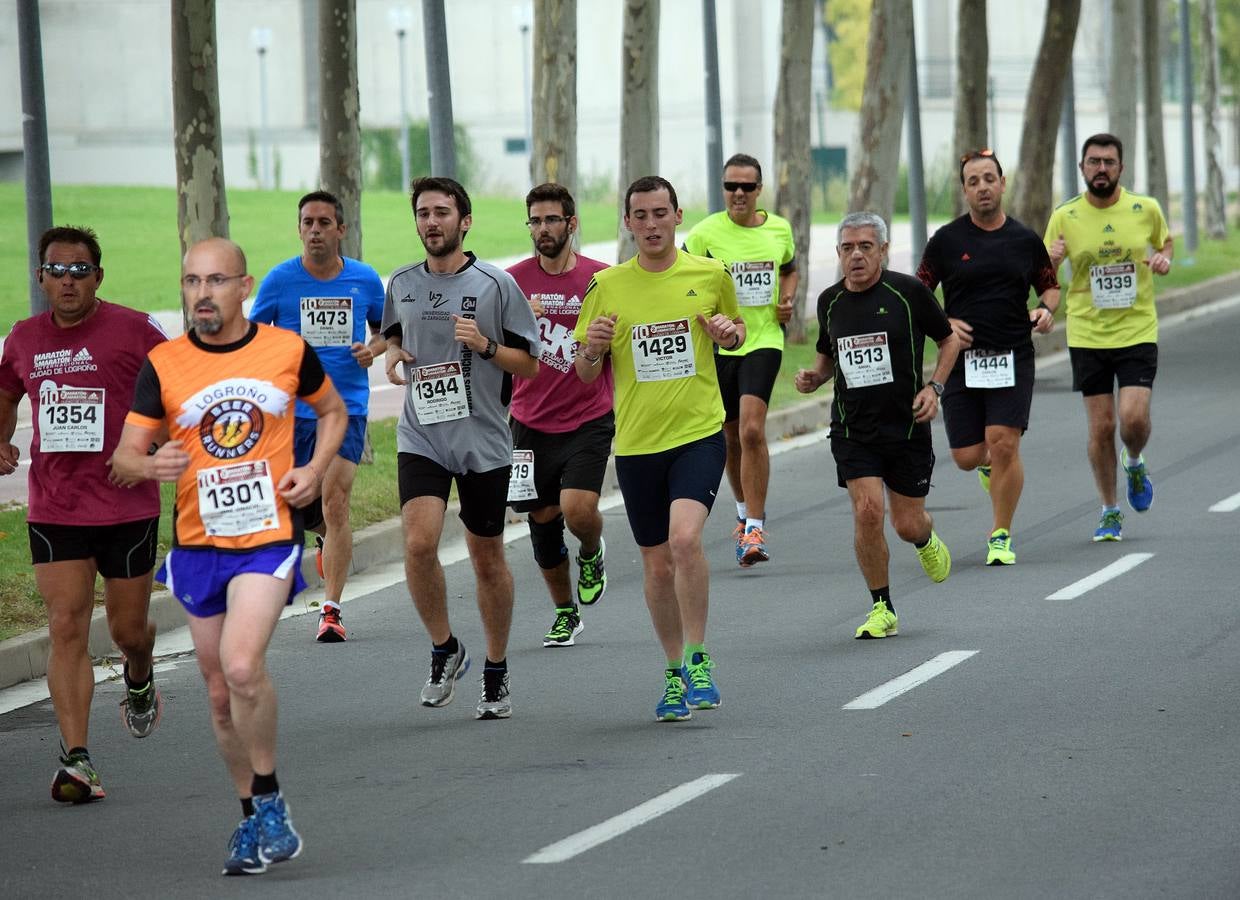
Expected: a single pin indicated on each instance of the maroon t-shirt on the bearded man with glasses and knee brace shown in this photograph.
(557, 402)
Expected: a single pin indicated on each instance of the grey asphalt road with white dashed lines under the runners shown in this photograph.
(1082, 747)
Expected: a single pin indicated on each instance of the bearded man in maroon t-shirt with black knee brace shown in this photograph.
(562, 430)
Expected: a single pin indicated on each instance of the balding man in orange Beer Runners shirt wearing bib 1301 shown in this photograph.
(220, 402)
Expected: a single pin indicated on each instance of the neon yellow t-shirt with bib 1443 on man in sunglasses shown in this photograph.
(755, 256)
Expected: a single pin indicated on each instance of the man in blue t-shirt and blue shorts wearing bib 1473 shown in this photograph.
(329, 301)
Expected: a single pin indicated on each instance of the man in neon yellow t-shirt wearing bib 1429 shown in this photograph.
(659, 315)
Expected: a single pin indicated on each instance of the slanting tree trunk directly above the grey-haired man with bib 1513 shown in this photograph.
(877, 169)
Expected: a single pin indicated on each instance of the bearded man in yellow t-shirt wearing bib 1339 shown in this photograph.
(1108, 235)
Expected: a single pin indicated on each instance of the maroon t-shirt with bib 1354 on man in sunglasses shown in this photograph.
(81, 384)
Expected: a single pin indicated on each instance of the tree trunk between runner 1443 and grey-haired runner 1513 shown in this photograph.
(794, 167)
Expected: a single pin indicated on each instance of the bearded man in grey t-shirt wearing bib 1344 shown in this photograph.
(458, 330)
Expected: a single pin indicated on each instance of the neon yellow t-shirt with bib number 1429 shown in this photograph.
(668, 394)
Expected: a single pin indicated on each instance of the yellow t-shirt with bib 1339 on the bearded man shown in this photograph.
(1112, 298)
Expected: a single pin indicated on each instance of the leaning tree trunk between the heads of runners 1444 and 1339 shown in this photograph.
(1032, 201)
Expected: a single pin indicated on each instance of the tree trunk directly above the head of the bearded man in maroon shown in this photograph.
(555, 104)
